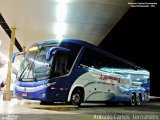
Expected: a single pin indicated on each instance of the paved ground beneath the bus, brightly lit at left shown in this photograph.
(31, 110)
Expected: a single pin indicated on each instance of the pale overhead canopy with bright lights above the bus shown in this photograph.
(37, 20)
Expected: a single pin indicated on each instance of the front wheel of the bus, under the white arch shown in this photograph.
(76, 97)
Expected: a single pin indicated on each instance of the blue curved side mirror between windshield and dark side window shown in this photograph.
(53, 49)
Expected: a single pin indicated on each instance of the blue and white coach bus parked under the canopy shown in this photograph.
(75, 71)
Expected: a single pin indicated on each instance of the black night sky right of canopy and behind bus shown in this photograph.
(135, 38)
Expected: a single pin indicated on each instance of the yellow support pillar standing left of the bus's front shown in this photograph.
(7, 93)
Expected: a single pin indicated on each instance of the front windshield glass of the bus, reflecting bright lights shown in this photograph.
(34, 66)
